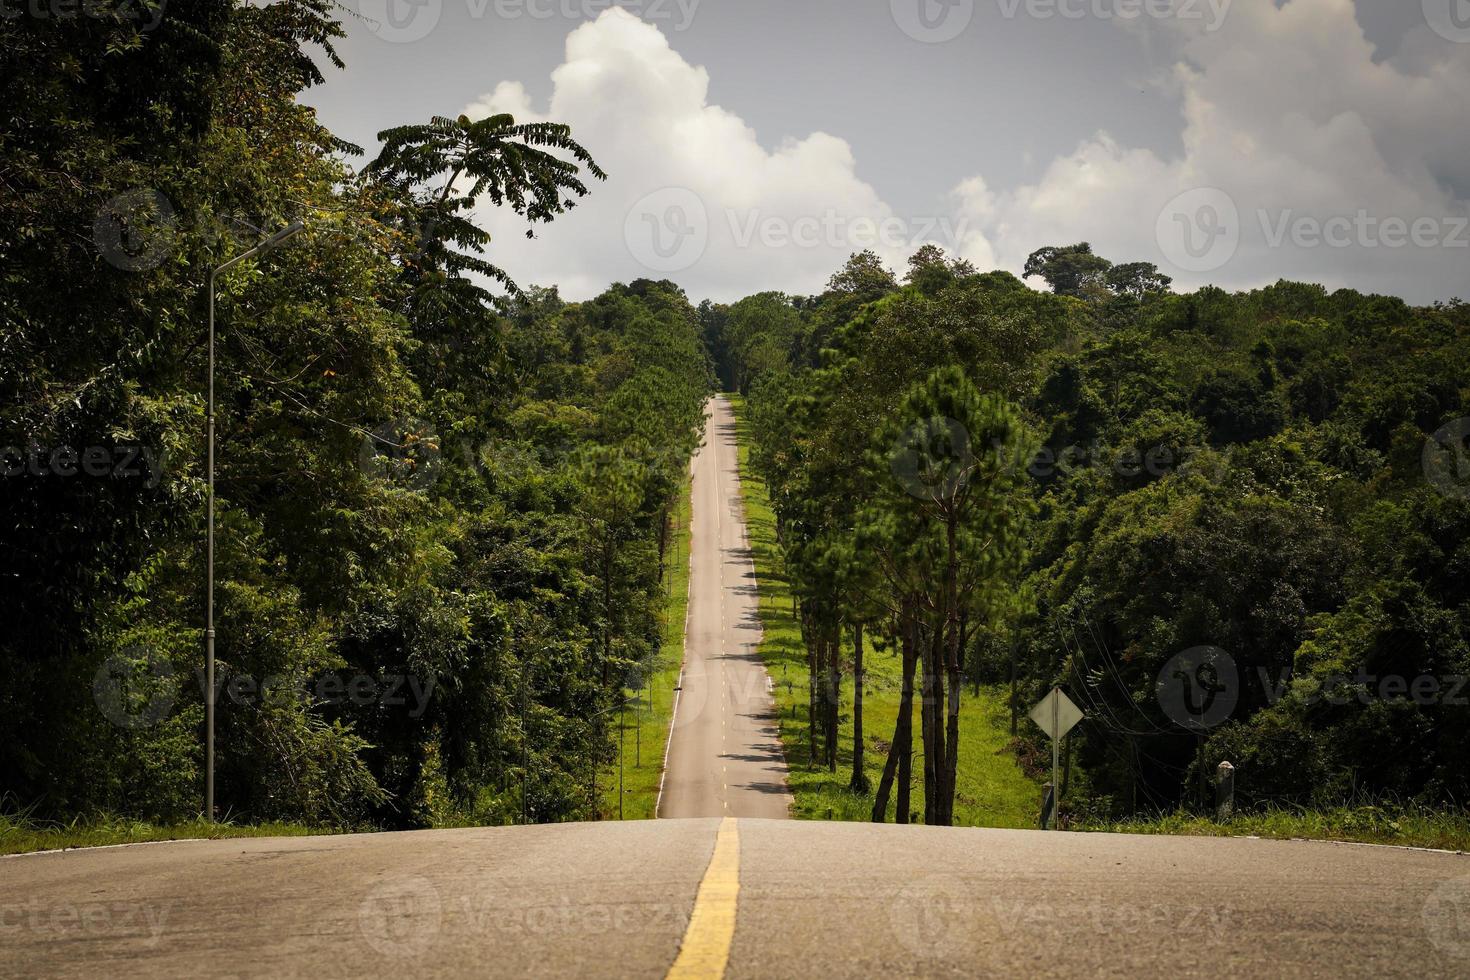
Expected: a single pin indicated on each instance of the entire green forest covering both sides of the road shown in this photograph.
(445, 499)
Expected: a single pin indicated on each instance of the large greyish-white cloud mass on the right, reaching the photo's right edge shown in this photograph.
(1316, 146)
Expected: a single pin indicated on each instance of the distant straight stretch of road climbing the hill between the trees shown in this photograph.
(725, 756)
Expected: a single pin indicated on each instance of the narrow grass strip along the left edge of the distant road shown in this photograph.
(646, 721)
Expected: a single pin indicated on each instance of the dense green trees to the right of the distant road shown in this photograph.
(1277, 477)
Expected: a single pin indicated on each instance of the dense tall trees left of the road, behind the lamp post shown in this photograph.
(440, 515)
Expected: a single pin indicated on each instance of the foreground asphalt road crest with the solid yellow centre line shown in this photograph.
(799, 898)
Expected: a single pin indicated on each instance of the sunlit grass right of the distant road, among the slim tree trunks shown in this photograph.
(993, 791)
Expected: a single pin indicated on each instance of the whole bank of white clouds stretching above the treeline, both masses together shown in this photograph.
(1286, 111)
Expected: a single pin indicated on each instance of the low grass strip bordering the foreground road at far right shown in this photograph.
(1403, 826)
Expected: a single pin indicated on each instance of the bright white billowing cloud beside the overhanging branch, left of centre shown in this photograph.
(772, 220)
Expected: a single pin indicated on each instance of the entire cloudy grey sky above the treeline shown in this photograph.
(753, 145)
